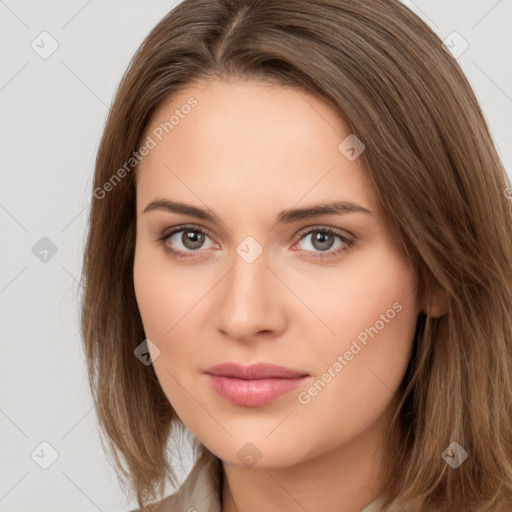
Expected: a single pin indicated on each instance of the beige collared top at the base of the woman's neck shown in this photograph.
(200, 492)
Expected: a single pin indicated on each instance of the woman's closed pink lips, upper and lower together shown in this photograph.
(255, 385)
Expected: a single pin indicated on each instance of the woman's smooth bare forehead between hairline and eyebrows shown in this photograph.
(250, 139)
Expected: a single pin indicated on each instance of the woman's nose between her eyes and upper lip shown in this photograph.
(251, 302)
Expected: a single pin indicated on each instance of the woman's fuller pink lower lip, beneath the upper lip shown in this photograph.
(253, 393)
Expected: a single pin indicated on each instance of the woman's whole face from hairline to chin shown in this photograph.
(262, 277)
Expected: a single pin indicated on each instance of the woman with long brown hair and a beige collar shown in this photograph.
(300, 253)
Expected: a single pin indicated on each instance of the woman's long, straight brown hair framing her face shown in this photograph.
(432, 160)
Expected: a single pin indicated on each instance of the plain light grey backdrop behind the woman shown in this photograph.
(52, 113)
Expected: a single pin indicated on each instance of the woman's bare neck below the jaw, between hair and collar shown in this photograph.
(344, 479)
